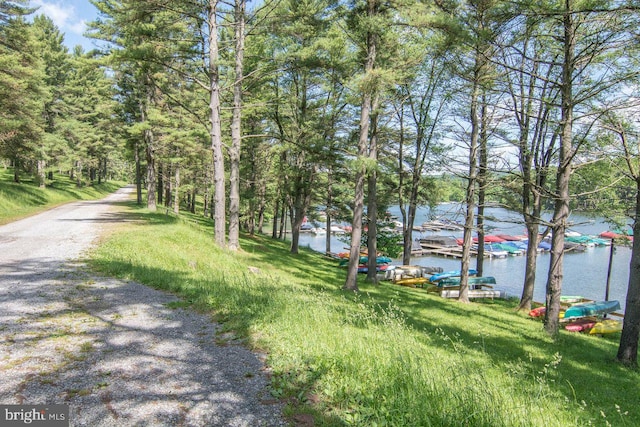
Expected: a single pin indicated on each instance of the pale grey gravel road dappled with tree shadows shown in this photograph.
(115, 351)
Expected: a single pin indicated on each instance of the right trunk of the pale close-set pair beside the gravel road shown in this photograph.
(236, 132)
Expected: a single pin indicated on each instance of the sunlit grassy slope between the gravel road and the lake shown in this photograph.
(386, 356)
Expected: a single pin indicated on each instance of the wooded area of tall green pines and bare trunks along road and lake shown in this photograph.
(256, 110)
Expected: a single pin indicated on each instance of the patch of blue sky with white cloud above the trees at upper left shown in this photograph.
(70, 16)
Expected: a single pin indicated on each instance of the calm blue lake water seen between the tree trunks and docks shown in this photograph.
(585, 273)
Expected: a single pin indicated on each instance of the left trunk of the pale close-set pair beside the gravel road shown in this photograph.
(215, 129)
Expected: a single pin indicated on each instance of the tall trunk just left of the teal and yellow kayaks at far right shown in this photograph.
(561, 208)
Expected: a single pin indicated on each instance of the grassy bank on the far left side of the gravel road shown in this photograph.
(25, 199)
